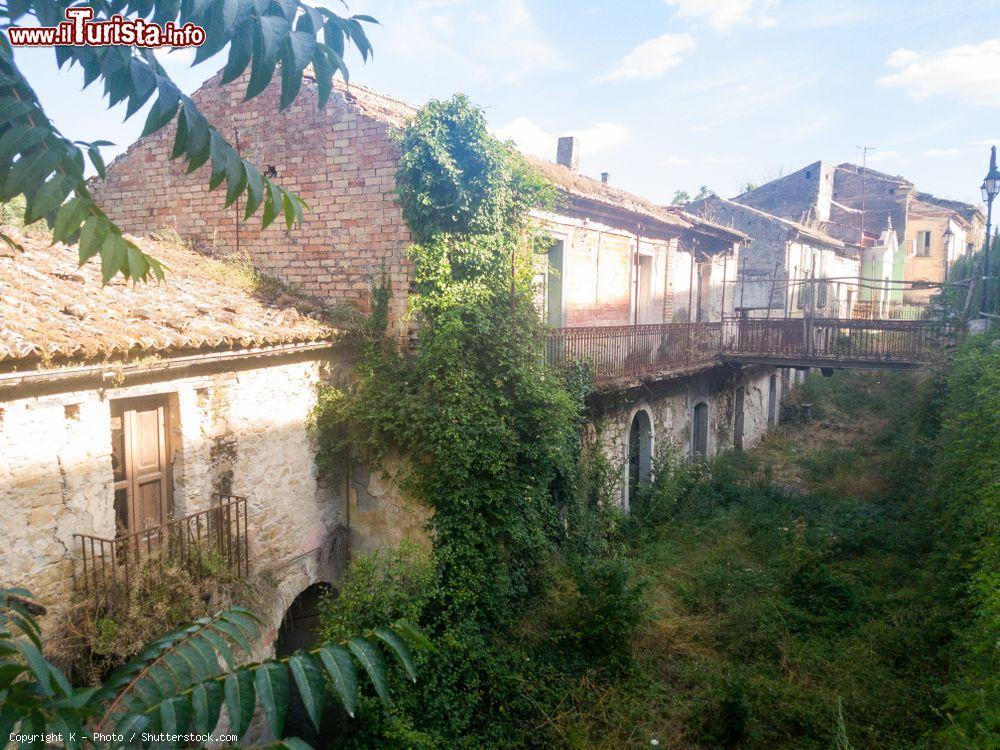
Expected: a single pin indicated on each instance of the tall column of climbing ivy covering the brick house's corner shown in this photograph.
(490, 432)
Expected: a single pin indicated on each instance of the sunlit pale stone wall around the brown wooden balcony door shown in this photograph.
(240, 431)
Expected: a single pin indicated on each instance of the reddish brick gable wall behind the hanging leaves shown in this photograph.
(340, 161)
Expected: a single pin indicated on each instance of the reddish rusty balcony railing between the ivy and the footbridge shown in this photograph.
(629, 351)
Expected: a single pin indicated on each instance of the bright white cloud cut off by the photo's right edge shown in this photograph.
(969, 72)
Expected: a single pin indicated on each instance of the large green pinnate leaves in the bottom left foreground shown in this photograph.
(181, 681)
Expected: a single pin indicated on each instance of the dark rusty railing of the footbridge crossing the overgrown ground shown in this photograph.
(840, 340)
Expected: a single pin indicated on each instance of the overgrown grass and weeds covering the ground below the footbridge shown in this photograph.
(792, 594)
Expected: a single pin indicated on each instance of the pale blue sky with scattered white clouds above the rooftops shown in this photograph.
(670, 95)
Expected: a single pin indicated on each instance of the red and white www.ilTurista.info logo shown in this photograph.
(79, 30)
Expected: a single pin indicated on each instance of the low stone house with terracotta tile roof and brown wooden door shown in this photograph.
(133, 415)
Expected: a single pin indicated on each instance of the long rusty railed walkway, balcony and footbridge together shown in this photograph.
(644, 352)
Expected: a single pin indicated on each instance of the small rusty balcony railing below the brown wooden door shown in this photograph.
(201, 542)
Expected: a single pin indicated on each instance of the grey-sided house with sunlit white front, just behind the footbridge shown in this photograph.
(789, 269)
